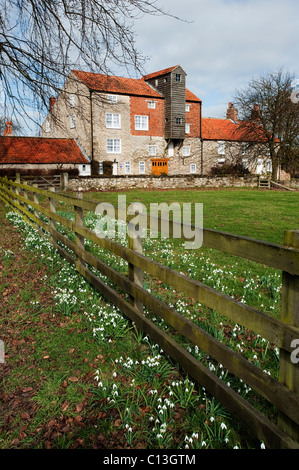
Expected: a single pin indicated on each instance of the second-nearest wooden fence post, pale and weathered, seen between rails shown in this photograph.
(135, 274)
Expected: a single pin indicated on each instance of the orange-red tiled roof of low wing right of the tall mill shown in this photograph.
(225, 129)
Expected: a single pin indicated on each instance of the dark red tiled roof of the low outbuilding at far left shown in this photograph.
(38, 150)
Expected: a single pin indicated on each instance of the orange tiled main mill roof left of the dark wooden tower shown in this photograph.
(121, 85)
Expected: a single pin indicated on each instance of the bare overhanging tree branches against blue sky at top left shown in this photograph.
(42, 40)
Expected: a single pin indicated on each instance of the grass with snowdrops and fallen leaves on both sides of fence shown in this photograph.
(99, 383)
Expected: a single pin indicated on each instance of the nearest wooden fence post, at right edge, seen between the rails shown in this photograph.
(289, 365)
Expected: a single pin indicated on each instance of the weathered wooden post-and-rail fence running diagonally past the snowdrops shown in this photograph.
(284, 333)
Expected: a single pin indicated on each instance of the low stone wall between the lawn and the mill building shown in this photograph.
(126, 183)
